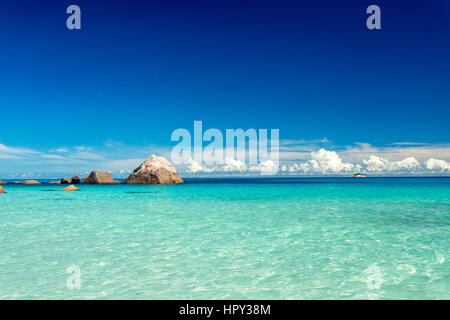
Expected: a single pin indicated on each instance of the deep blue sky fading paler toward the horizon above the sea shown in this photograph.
(116, 89)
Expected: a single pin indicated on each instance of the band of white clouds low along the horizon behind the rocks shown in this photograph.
(297, 158)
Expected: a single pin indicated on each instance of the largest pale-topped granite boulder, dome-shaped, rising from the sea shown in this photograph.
(155, 170)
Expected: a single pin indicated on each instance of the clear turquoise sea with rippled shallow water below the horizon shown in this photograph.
(292, 238)
